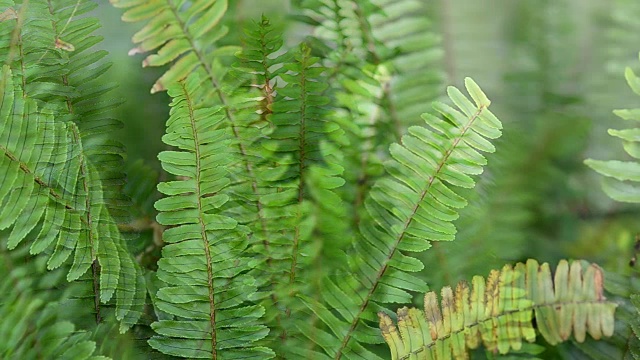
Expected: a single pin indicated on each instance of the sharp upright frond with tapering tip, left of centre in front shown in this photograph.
(204, 261)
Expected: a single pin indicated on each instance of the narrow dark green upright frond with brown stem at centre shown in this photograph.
(303, 154)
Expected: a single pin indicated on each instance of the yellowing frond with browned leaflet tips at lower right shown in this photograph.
(499, 314)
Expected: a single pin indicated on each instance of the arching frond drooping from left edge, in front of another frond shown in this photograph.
(50, 182)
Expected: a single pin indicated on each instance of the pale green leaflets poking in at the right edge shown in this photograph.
(622, 177)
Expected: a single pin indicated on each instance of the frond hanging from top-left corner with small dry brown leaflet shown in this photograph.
(68, 80)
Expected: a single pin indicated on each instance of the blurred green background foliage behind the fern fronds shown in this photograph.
(554, 71)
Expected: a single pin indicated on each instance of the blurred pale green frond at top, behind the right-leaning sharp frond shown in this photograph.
(368, 45)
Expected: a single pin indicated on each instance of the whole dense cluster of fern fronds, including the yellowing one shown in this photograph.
(293, 208)
